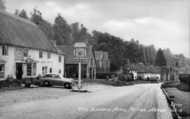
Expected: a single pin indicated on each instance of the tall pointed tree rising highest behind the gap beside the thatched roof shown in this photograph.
(62, 31)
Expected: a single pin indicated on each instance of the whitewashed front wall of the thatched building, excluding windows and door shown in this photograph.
(53, 62)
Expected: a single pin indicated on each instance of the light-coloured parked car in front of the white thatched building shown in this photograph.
(56, 79)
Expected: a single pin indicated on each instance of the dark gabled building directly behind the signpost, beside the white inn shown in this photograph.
(88, 64)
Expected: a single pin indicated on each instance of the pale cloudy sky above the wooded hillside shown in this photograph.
(163, 23)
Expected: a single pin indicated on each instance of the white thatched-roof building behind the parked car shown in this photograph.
(25, 51)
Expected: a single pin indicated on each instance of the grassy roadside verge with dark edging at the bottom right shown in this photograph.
(178, 99)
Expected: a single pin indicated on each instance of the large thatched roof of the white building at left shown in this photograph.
(19, 32)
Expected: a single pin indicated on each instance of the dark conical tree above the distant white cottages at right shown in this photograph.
(160, 58)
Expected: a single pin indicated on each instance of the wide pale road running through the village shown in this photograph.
(142, 101)
